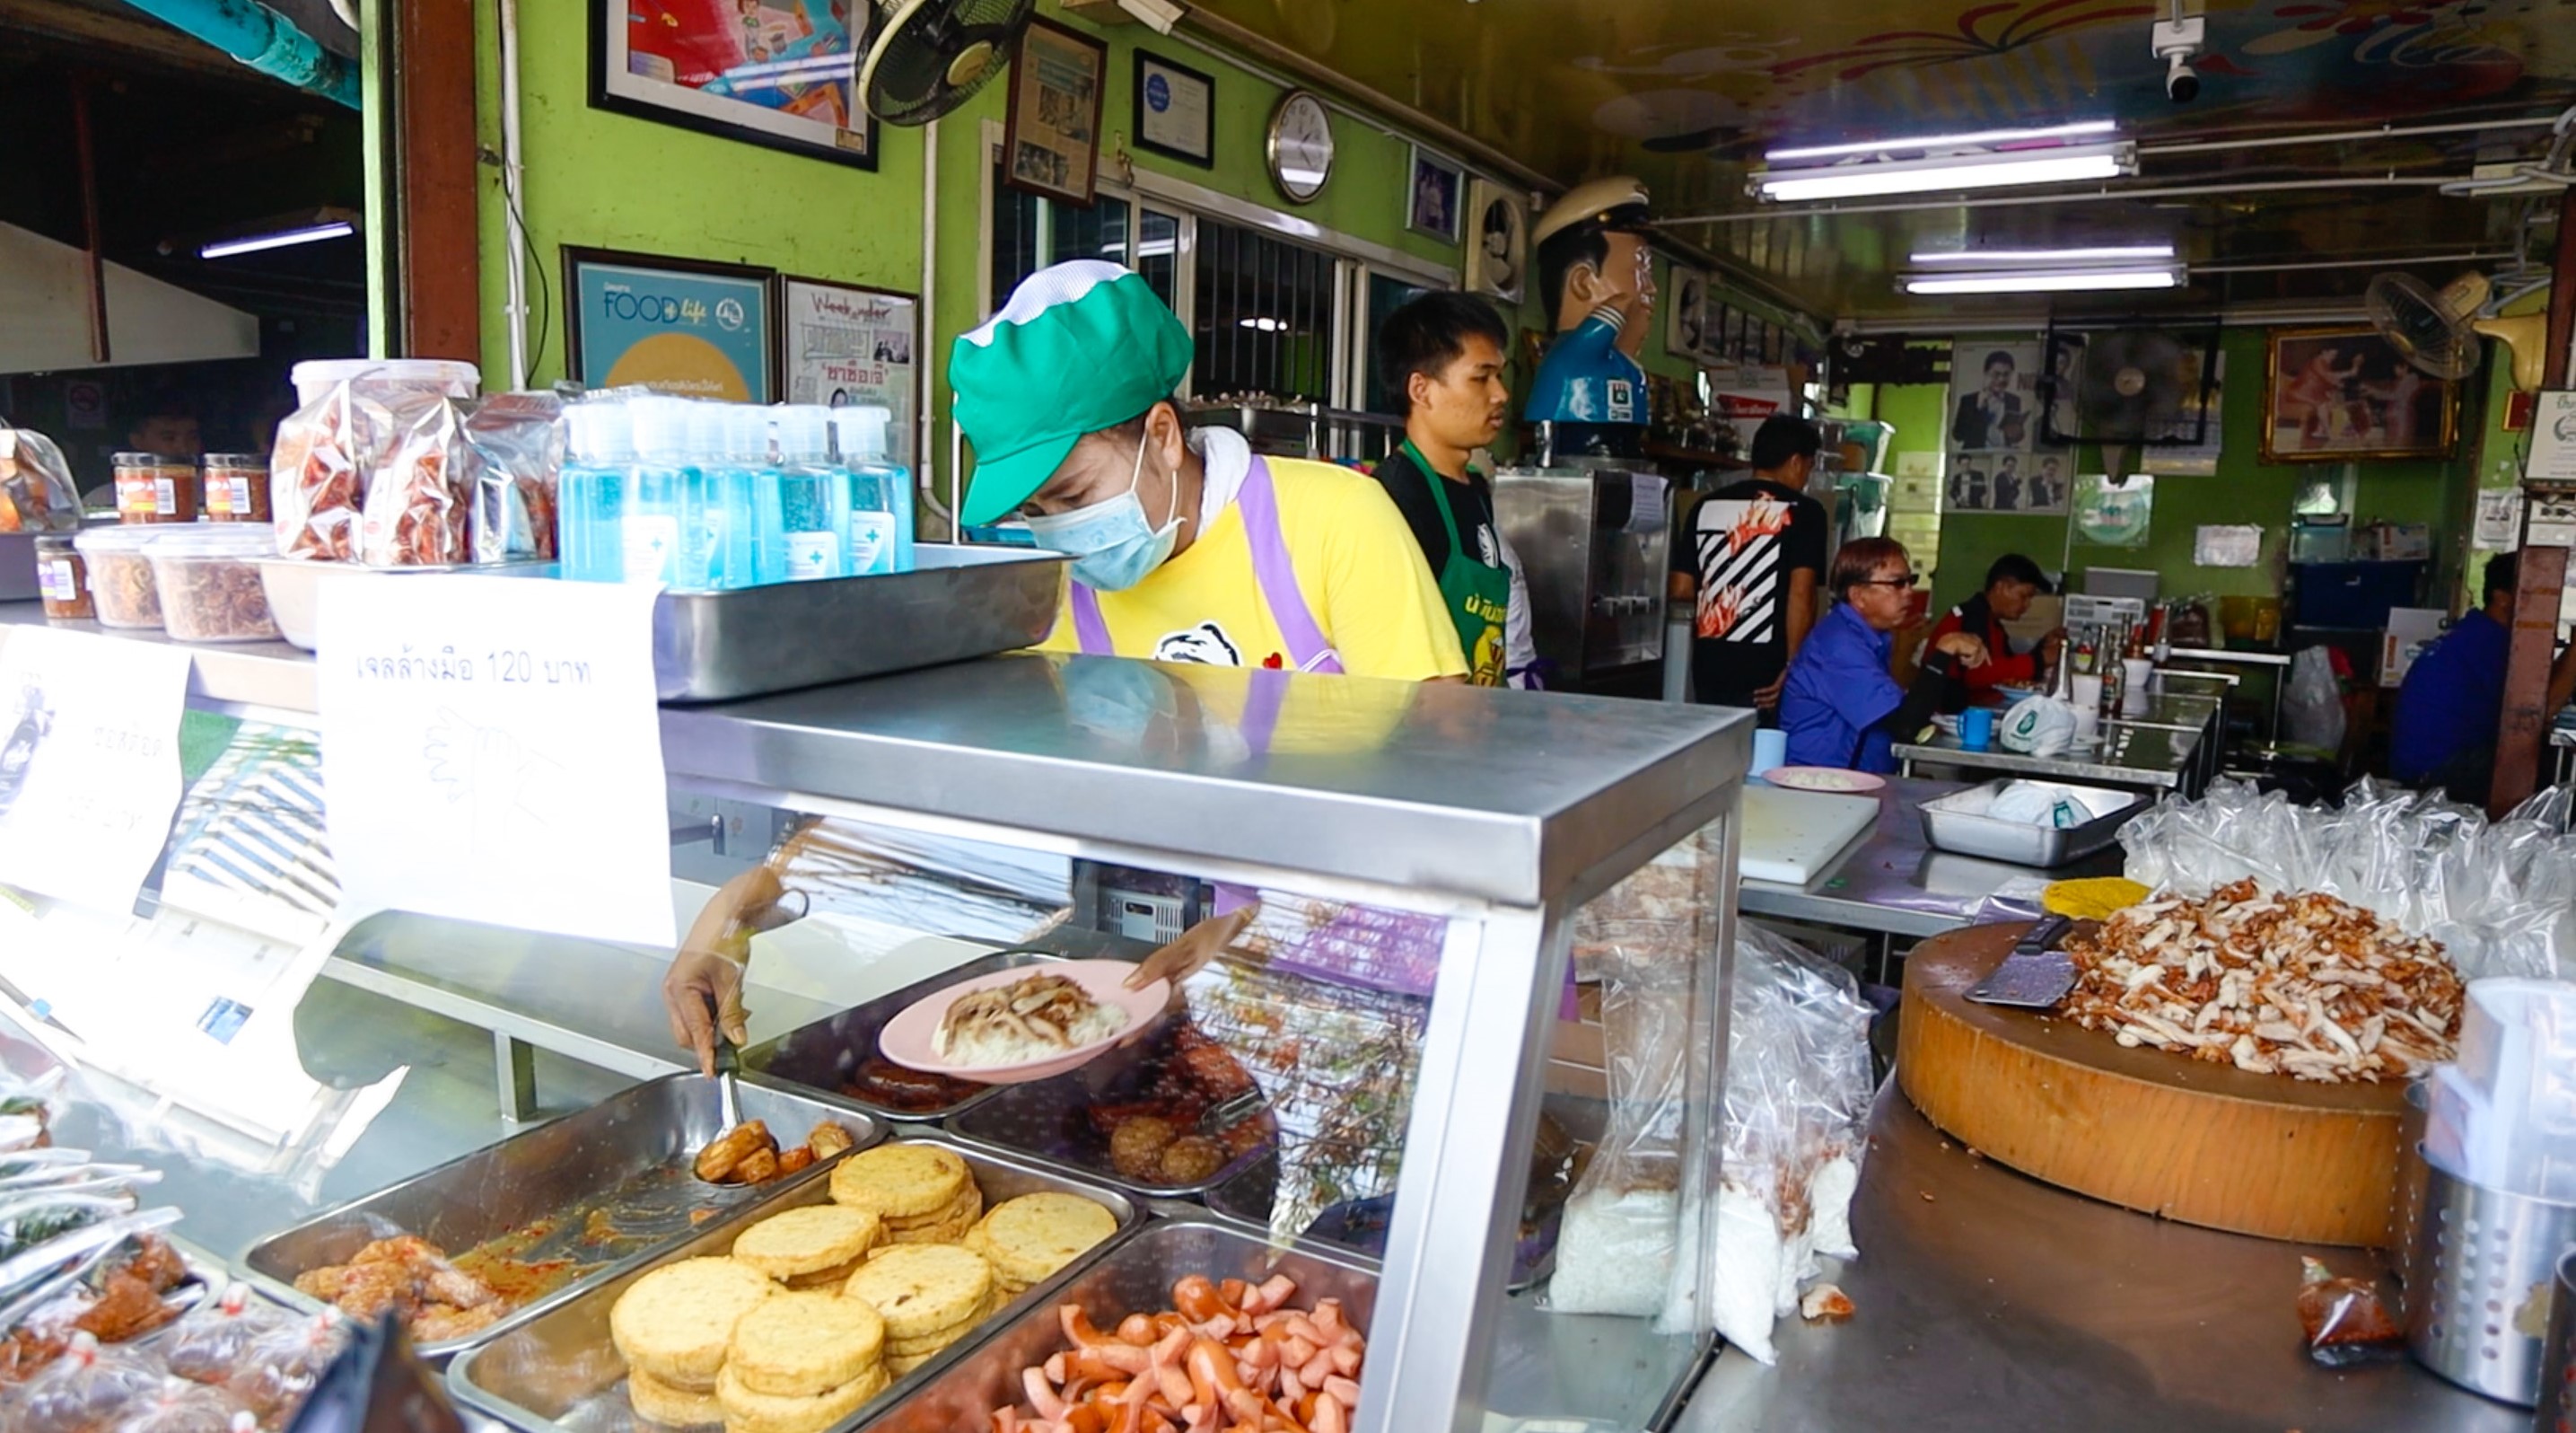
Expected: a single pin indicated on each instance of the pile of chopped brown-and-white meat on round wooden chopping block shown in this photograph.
(2281, 986)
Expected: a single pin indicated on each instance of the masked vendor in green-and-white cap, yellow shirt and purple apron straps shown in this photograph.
(1186, 545)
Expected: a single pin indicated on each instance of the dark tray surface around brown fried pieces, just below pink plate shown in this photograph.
(1052, 1120)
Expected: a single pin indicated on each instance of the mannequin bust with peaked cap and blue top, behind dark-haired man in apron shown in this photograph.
(1598, 277)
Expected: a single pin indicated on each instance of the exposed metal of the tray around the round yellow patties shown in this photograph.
(563, 1372)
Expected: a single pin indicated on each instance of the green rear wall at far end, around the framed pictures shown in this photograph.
(2245, 491)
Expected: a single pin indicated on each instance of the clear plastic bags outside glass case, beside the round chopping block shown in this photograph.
(1797, 1110)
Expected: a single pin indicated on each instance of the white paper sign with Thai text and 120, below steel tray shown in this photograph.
(493, 751)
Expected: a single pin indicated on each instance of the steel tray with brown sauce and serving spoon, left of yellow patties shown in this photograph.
(607, 1189)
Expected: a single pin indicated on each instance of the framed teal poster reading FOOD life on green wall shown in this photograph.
(676, 326)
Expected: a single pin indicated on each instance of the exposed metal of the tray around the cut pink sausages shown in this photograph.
(1135, 1277)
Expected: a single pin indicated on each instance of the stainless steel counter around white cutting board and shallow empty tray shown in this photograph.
(1895, 885)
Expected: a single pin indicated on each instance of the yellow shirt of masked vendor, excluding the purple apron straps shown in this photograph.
(1356, 566)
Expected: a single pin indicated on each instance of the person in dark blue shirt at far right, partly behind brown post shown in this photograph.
(2454, 697)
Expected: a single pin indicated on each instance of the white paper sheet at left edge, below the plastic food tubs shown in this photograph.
(89, 762)
